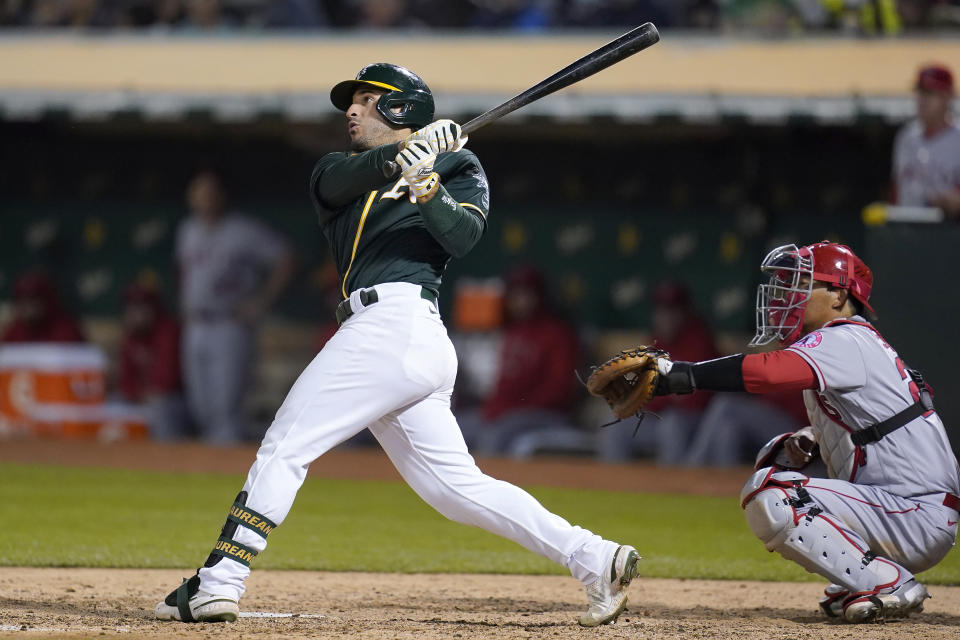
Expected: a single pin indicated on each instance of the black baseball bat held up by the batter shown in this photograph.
(634, 41)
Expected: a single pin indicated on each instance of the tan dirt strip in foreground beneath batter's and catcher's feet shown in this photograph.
(86, 603)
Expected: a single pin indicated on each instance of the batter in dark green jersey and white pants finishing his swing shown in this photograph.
(391, 367)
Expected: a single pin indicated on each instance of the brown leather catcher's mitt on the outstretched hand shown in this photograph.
(627, 380)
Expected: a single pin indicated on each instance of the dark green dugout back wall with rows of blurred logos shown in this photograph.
(601, 262)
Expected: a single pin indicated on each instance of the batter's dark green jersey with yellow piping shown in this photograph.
(378, 233)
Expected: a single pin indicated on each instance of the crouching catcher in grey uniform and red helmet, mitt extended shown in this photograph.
(888, 506)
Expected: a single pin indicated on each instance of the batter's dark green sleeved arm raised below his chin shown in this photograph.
(340, 183)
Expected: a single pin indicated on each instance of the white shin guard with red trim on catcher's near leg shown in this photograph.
(781, 513)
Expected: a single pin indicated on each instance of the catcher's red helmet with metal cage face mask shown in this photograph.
(792, 271)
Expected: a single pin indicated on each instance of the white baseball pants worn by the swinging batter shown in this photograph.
(391, 367)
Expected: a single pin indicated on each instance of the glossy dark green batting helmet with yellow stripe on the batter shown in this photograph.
(405, 89)
